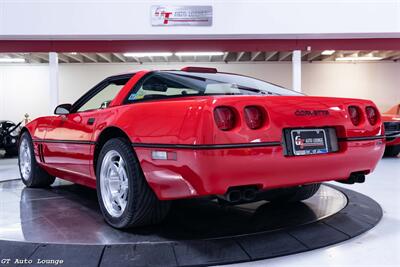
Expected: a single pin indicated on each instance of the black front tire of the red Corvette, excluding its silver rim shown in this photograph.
(37, 176)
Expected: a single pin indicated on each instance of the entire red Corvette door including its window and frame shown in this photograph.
(68, 144)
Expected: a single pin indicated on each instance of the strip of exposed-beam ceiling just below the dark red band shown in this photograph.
(244, 56)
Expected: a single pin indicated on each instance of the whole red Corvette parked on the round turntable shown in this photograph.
(148, 137)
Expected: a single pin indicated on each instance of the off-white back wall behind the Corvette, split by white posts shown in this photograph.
(24, 88)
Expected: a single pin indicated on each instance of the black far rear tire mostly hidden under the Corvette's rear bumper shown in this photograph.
(291, 194)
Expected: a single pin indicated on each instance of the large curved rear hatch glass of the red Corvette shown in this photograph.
(164, 84)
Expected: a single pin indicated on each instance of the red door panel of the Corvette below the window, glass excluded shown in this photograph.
(69, 142)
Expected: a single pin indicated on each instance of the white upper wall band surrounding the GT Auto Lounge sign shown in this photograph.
(130, 19)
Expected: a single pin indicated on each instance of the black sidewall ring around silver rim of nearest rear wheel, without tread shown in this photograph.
(129, 158)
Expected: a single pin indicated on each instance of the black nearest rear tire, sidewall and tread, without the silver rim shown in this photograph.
(143, 207)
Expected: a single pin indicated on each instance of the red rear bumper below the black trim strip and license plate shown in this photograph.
(201, 172)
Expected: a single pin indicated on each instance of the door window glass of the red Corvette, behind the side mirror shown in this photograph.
(103, 98)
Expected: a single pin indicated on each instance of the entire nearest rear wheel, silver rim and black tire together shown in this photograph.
(125, 198)
